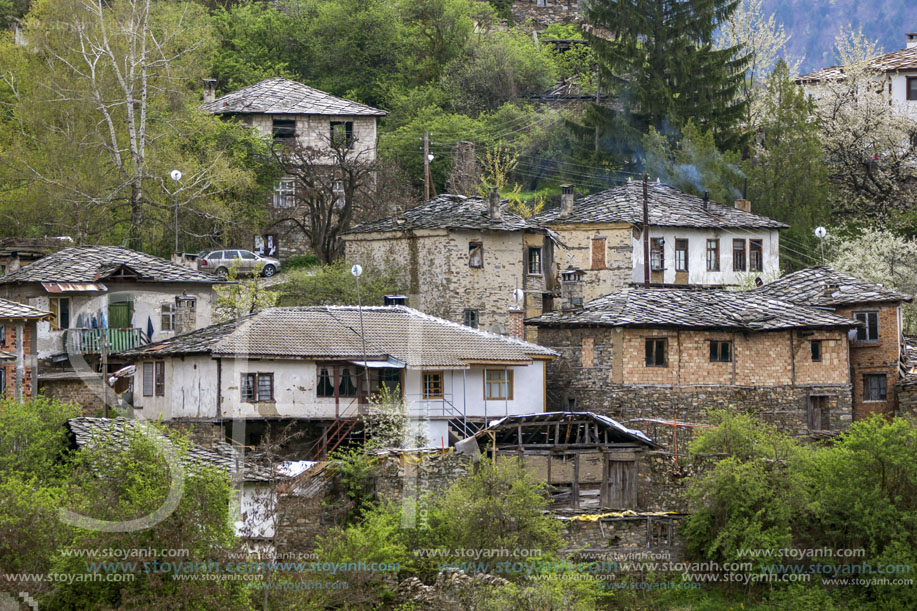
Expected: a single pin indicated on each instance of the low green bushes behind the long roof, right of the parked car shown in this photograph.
(334, 285)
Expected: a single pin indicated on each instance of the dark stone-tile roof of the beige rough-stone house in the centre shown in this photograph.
(449, 212)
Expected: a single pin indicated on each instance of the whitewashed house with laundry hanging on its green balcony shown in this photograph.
(103, 299)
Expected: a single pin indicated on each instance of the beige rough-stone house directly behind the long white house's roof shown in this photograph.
(464, 258)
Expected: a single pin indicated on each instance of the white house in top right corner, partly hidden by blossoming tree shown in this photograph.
(900, 76)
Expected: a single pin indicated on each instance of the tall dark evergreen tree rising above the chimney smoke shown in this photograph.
(657, 58)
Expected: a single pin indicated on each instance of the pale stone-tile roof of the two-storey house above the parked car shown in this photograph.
(283, 96)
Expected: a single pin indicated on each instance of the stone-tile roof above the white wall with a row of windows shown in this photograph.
(668, 207)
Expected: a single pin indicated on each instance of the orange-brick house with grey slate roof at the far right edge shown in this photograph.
(876, 347)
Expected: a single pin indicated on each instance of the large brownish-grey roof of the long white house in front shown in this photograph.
(333, 332)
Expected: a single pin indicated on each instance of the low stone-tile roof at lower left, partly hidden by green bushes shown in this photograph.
(87, 432)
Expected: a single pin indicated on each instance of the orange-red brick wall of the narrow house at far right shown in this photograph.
(875, 358)
